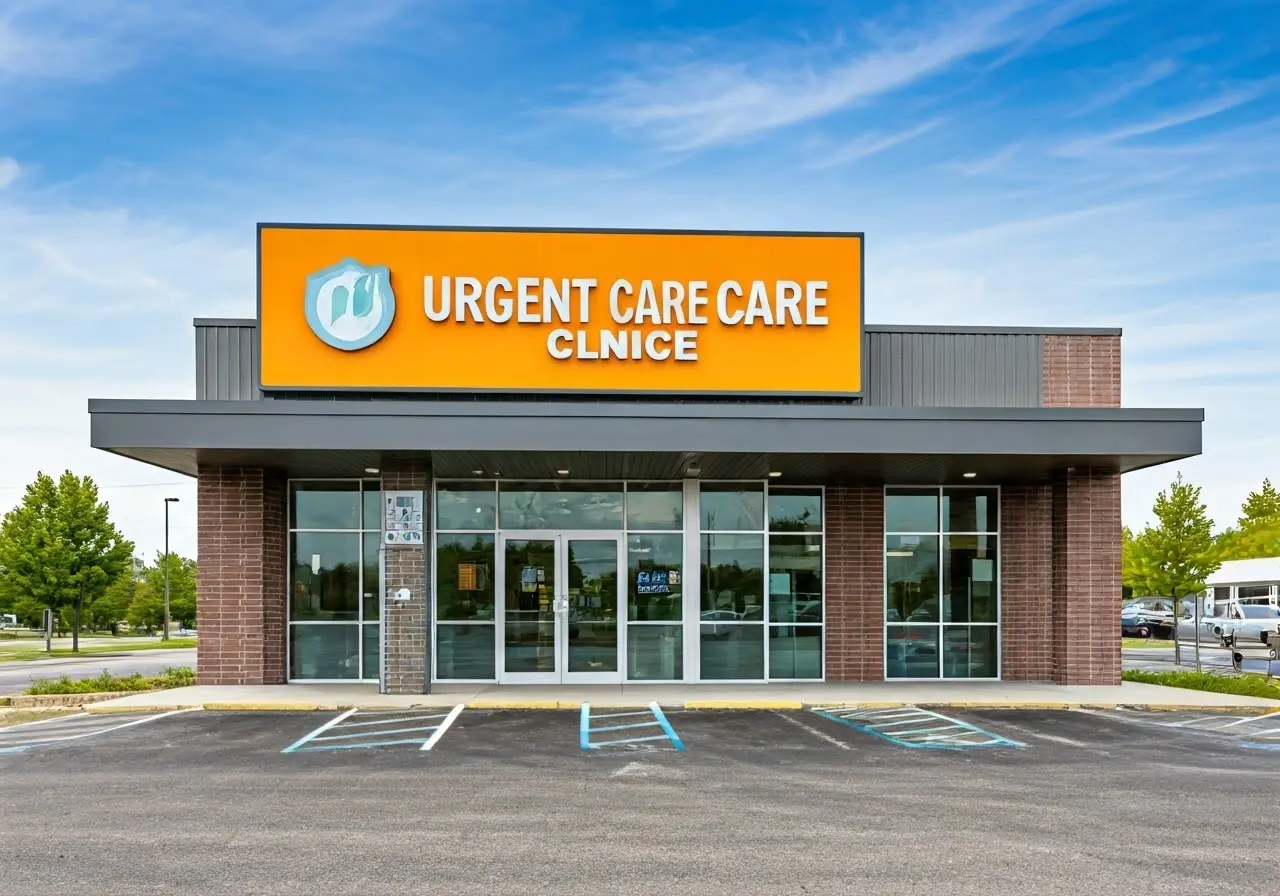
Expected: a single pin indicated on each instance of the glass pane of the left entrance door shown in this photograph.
(529, 634)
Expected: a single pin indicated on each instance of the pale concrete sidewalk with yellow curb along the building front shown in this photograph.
(995, 694)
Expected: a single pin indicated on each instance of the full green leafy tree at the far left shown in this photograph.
(60, 547)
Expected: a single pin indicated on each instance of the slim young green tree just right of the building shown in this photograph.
(1180, 554)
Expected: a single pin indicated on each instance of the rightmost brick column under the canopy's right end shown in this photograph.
(1086, 563)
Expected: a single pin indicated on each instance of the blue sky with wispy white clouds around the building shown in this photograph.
(1017, 163)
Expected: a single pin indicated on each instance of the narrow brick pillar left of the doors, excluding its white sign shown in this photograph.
(406, 625)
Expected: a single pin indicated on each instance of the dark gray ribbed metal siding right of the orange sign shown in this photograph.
(922, 369)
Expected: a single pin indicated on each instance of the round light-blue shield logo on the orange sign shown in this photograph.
(350, 305)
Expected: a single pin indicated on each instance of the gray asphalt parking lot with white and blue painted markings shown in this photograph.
(577, 802)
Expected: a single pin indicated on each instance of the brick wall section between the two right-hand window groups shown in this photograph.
(856, 583)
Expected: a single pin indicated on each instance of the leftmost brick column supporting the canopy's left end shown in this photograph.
(241, 557)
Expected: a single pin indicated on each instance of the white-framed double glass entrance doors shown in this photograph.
(561, 607)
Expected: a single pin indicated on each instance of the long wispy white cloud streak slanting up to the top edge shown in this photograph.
(708, 102)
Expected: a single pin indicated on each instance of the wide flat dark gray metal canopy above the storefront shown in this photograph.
(644, 441)
